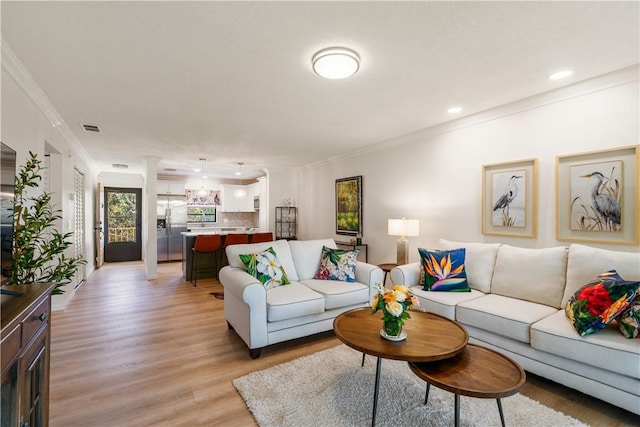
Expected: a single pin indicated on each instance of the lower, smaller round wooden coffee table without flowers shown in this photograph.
(475, 372)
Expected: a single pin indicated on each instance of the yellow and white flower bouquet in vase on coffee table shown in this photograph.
(395, 305)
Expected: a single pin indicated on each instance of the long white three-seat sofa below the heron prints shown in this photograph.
(516, 306)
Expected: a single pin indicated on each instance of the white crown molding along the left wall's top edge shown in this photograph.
(22, 77)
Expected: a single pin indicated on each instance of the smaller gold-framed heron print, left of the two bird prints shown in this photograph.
(509, 198)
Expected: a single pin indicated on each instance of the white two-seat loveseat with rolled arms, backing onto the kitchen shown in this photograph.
(306, 306)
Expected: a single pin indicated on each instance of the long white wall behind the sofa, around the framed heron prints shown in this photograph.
(435, 175)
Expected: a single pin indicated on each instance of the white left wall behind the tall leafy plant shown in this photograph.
(26, 128)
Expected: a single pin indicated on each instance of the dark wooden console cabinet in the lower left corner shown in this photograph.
(25, 342)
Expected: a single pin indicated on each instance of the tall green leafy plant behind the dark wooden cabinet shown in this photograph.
(38, 247)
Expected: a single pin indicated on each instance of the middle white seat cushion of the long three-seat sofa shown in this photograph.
(502, 315)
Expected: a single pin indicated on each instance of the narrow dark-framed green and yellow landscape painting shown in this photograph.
(349, 206)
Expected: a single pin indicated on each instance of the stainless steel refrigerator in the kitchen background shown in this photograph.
(172, 221)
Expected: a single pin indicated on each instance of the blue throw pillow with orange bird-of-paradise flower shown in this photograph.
(444, 270)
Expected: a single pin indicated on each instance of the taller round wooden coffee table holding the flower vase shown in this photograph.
(429, 338)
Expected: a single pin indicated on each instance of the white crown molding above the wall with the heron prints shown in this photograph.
(595, 84)
